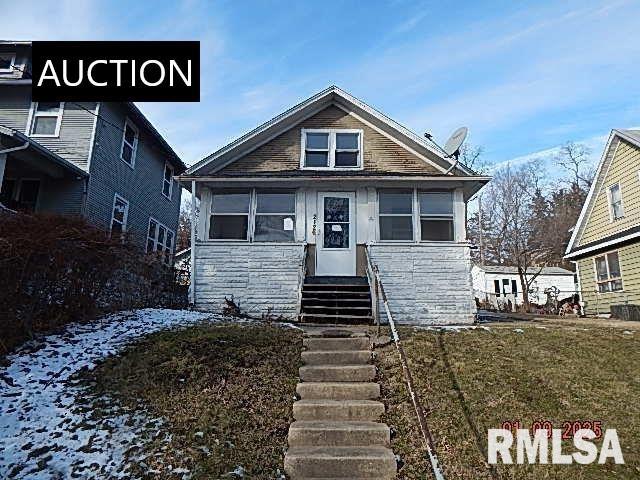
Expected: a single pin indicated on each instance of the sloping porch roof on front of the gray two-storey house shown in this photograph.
(35, 154)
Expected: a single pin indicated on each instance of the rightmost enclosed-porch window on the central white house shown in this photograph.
(436, 216)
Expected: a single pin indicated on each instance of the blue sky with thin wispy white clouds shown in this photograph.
(523, 78)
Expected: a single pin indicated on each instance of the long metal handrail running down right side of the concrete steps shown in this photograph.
(417, 405)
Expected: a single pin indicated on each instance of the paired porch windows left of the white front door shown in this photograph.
(253, 215)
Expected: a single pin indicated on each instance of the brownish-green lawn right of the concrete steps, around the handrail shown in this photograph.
(473, 380)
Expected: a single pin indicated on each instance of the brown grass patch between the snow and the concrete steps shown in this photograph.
(224, 392)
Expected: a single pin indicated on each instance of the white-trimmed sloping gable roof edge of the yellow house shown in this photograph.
(631, 136)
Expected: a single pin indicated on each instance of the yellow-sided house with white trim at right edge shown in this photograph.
(605, 244)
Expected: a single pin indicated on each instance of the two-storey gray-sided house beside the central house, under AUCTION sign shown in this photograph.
(102, 161)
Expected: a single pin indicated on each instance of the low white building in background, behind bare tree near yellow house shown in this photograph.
(498, 284)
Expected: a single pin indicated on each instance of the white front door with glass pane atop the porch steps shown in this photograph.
(336, 241)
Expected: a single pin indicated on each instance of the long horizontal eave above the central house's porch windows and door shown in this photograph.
(469, 184)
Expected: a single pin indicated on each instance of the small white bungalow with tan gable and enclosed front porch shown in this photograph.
(296, 214)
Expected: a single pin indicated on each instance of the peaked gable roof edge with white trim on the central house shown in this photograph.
(333, 95)
